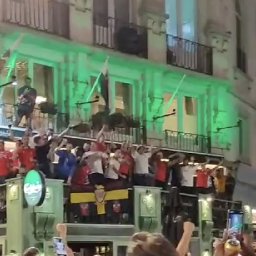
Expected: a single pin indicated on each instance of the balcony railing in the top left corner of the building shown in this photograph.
(50, 16)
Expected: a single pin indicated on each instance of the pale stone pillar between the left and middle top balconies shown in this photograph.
(81, 21)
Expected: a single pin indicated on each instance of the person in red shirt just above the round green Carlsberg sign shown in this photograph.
(27, 156)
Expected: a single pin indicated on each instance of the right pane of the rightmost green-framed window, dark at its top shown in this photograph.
(190, 117)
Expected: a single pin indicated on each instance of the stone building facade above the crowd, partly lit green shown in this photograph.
(188, 96)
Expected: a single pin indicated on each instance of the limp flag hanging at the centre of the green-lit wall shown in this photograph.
(103, 84)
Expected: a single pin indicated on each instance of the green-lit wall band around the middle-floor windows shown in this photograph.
(74, 66)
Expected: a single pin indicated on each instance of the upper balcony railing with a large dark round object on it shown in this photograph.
(118, 35)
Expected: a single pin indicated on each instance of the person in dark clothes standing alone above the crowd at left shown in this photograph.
(26, 103)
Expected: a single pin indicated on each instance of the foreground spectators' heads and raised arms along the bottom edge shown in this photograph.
(149, 244)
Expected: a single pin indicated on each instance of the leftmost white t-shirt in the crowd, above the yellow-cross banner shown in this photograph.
(94, 161)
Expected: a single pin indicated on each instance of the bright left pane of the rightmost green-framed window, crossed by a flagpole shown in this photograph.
(170, 122)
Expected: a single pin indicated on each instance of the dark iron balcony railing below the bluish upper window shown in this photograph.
(189, 55)
